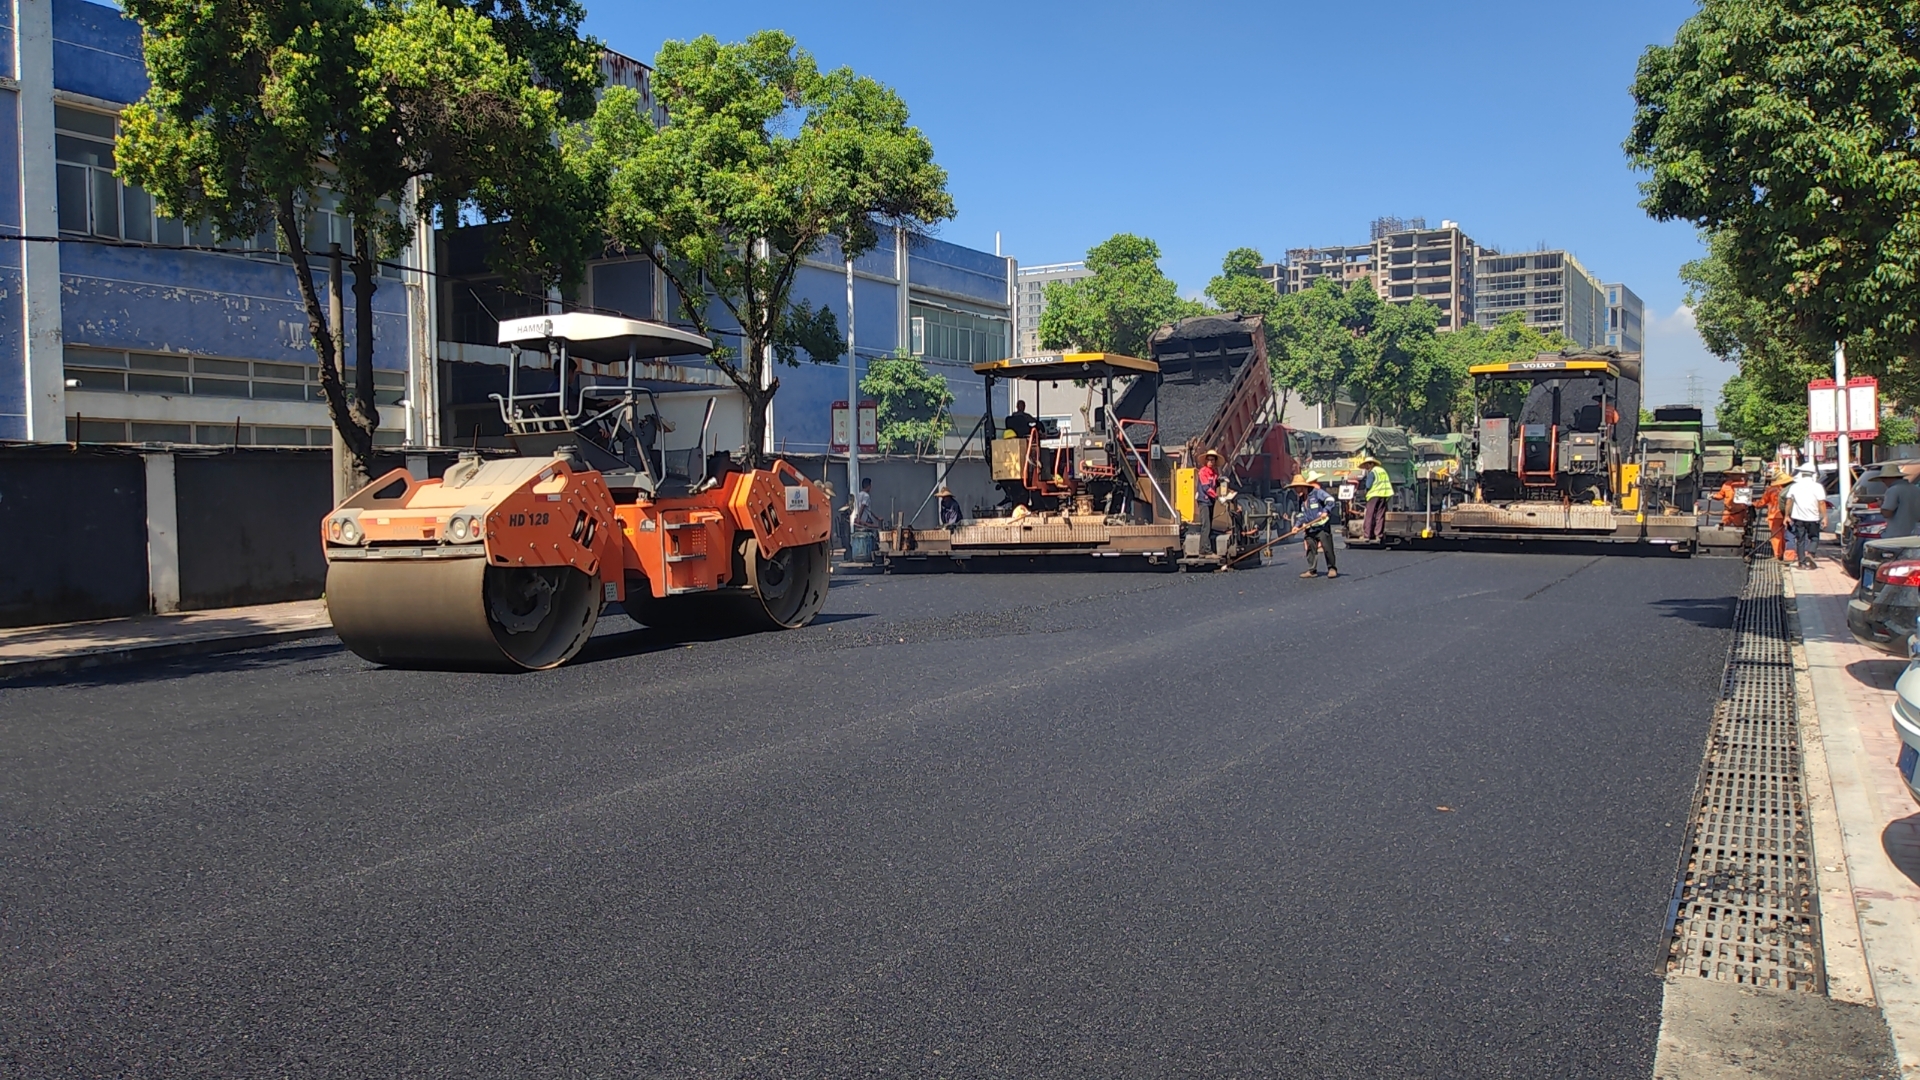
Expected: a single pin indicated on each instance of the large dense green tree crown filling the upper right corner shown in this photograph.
(1787, 128)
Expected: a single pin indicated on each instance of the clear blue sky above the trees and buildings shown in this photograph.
(1270, 126)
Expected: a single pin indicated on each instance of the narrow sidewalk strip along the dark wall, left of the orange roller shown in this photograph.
(76, 647)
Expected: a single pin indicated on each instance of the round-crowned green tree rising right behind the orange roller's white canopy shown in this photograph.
(765, 159)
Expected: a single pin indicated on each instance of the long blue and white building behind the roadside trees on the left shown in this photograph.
(105, 341)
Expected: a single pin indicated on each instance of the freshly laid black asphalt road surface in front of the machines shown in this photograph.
(1418, 822)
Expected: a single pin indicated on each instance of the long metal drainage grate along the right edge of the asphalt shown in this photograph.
(1746, 908)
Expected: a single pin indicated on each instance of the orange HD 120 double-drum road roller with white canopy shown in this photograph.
(506, 564)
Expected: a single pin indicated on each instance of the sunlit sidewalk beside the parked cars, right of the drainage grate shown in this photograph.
(1877, 818)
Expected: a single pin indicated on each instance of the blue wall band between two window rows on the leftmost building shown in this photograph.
(206, 305)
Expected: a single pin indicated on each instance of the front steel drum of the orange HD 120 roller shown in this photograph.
(462, 614)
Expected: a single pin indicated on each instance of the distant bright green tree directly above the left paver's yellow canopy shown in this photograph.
(1116, 308)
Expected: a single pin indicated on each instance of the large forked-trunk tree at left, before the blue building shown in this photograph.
(260, 107)
